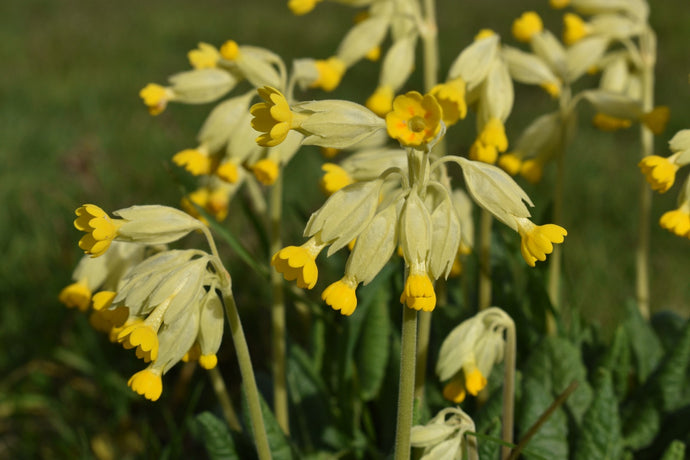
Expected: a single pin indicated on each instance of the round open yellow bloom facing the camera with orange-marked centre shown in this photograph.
(415, 119)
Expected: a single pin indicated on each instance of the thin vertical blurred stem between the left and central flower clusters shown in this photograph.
(280, 403)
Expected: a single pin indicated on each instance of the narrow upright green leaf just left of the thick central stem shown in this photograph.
(374, 346)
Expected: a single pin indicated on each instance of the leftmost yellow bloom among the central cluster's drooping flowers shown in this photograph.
(299, 263)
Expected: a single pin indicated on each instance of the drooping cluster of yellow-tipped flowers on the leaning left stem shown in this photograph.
(161, 303)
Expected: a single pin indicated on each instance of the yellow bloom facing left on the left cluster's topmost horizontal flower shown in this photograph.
(100, 229)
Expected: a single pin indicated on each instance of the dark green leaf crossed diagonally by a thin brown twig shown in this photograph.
(551, 441)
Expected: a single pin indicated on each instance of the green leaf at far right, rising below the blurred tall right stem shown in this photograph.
(647, 348)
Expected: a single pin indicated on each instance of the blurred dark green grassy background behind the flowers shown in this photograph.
(73, 131)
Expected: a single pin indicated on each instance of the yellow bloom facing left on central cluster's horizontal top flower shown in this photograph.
(272, 117)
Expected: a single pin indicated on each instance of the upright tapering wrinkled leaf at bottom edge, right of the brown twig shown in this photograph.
(600, 433)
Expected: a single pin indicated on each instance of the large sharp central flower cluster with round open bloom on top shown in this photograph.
(407, 207)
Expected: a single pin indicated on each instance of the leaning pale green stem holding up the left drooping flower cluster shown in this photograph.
(248, 380)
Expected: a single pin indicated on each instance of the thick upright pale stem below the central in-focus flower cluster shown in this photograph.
(406, 385)
